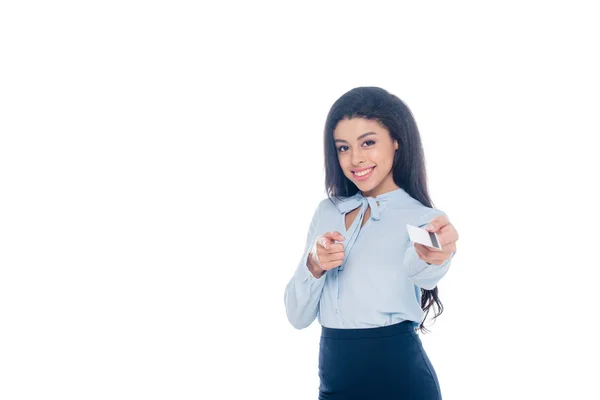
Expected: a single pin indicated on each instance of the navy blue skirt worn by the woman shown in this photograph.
(375, 364)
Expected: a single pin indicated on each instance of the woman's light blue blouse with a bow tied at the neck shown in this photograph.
(379, 280)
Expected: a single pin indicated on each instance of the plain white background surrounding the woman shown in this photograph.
(160, 161)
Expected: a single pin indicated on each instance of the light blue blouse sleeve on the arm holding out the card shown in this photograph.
(424, 275)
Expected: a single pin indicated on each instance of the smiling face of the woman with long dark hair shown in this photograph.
(366, 153)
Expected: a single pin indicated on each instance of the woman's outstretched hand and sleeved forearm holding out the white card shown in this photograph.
(425, 265)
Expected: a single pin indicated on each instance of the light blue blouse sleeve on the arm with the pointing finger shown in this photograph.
(303, 292)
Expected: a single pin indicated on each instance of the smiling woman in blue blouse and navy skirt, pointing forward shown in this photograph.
(360, 274)
